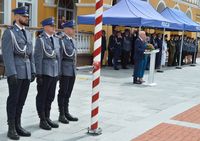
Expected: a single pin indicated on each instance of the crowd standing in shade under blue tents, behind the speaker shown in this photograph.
(121, 48)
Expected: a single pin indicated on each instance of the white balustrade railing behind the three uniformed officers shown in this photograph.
(82, 40)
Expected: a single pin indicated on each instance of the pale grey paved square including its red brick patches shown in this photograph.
(127, 111)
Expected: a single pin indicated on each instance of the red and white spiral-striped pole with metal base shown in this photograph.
(94, 128)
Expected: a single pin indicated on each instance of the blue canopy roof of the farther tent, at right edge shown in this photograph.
(178, 16)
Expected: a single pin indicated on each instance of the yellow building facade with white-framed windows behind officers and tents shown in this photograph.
(64, 10)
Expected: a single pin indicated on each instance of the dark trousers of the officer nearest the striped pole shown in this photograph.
(65, 90)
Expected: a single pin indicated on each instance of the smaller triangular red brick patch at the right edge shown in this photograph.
(192, 115)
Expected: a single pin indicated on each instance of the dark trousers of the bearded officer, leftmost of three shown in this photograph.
(17, 97)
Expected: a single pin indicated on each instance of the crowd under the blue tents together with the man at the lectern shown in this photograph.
(124, 48)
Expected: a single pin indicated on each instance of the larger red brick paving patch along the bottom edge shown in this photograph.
(170, 132)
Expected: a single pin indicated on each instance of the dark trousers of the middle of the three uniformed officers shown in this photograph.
(46, 94)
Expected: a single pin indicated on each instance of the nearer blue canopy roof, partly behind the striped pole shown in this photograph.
(132, 13)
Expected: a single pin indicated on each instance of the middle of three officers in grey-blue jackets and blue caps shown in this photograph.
(47, 57)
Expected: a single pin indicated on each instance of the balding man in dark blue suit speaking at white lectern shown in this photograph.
(140, 46)
